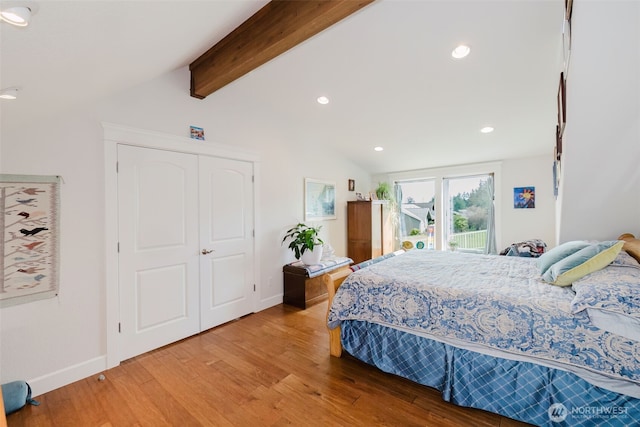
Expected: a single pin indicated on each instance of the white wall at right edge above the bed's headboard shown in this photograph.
(600, 186)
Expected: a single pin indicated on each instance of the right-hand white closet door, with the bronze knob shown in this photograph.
(226, 238)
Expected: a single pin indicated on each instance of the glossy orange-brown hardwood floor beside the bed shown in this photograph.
(267, 369)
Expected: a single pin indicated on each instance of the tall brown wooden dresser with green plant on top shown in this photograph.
(369, 230)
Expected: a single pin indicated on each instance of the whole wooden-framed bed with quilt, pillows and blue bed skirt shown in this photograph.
(490, 333)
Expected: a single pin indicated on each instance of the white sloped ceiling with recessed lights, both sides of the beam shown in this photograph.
(387, 70)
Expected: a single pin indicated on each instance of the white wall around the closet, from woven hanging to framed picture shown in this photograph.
(56, 341)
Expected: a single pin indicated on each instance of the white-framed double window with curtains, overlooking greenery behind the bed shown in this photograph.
(457, 212)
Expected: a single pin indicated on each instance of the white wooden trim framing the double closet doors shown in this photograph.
(114, 135)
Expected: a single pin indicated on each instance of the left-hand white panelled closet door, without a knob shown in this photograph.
(159, 250)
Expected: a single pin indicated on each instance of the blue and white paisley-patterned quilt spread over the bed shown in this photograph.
(496, 302)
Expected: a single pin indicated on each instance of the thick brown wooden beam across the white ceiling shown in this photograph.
(274, 29)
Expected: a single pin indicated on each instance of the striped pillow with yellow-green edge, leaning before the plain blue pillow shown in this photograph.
(592, 258)
